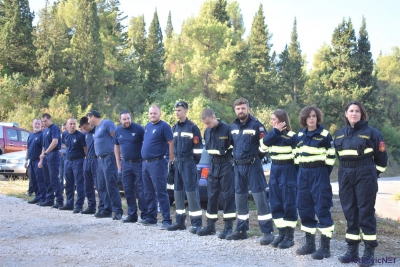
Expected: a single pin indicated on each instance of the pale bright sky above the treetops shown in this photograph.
(316, 19)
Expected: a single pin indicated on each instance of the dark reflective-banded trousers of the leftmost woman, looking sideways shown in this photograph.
(282, 195)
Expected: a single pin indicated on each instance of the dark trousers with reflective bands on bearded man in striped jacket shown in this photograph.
(251, 177)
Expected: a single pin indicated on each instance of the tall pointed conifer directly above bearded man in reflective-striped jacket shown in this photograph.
(262, 90)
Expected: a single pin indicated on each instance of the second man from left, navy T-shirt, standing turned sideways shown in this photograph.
(50, 160)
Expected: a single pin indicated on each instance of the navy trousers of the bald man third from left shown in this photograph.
(73, 170)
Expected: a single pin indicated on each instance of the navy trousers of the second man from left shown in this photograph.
(51, 166)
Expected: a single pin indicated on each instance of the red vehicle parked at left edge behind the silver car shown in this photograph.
(12, 138)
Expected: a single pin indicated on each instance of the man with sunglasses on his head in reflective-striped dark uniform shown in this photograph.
(187, 151)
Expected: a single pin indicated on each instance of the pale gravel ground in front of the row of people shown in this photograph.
(41, 236)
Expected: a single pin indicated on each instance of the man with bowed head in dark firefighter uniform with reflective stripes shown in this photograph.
(221, 177)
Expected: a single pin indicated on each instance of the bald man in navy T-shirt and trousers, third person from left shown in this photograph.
(73, 167)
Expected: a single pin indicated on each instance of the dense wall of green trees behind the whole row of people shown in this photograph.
(80, 56)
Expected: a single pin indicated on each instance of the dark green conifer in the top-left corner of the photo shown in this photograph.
(17, 52)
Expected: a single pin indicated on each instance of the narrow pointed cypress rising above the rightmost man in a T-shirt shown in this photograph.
(155, 82)
